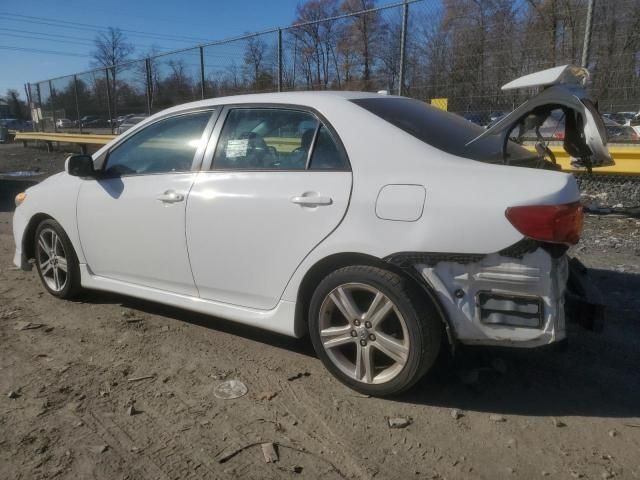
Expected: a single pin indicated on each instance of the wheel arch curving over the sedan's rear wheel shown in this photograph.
(326, 265)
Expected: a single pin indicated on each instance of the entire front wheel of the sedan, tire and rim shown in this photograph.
(56, 260)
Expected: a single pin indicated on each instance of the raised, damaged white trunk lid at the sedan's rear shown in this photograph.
(585, 135)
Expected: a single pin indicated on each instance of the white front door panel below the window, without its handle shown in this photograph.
(127, 234)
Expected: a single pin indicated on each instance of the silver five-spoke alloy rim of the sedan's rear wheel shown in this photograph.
(363, 333)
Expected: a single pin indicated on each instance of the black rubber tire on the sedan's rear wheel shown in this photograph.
(423, 326)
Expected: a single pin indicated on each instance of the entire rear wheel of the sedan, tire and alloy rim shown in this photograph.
(373, 330)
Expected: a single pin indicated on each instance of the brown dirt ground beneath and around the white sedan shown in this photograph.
(486, 414)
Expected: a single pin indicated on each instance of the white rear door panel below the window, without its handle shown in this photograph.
(249, 262)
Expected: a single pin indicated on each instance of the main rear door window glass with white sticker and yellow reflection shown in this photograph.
(265, 139)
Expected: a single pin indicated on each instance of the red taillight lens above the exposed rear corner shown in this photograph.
(548, 223)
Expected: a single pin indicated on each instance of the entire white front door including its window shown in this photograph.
(131, 219)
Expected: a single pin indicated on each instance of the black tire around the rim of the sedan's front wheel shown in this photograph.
(70, 285)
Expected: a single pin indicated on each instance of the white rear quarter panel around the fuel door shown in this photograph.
(465, 201)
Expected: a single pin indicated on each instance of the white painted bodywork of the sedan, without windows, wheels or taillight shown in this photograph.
(238, 248)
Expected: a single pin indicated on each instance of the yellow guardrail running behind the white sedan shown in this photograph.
(627, 158)
